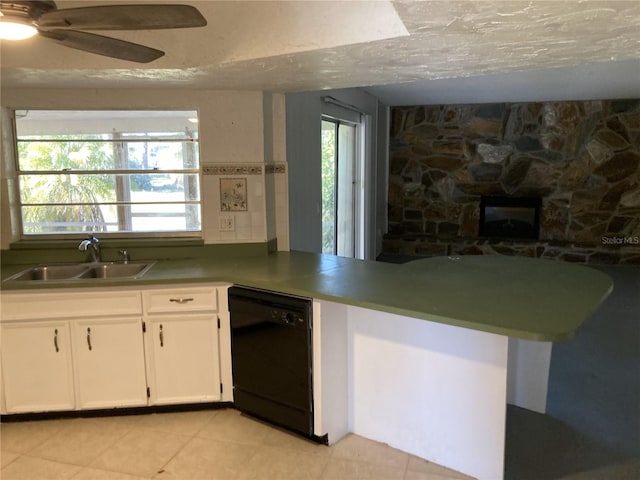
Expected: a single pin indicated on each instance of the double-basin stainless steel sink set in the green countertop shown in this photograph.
(83, 271)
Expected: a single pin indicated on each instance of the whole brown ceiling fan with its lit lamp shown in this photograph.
(66, 26)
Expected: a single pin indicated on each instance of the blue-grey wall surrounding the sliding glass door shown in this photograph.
(304, 113)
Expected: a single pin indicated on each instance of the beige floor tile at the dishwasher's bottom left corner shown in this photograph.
(231, 426)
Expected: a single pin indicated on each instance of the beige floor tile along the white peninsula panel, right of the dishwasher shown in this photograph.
(356, 448)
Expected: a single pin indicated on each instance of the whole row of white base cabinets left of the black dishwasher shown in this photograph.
(87, 348)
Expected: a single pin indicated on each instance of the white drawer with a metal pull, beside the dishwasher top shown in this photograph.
(180, 300)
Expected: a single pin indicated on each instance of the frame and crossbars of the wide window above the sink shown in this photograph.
(117, 173)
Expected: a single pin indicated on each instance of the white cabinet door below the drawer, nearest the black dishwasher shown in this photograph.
(182, 358)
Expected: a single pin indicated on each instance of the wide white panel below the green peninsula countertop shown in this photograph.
(433, 390)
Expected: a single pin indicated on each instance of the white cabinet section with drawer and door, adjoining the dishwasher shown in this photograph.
(182, 344)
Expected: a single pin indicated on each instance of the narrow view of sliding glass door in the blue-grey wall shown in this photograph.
(342, 230)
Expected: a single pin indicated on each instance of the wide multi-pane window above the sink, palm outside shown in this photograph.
(108, 171)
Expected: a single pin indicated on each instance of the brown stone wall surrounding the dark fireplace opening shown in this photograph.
(581, 157)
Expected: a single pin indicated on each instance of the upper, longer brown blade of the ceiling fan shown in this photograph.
(124, 17)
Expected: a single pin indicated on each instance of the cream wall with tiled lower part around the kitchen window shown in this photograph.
(231, 133)
